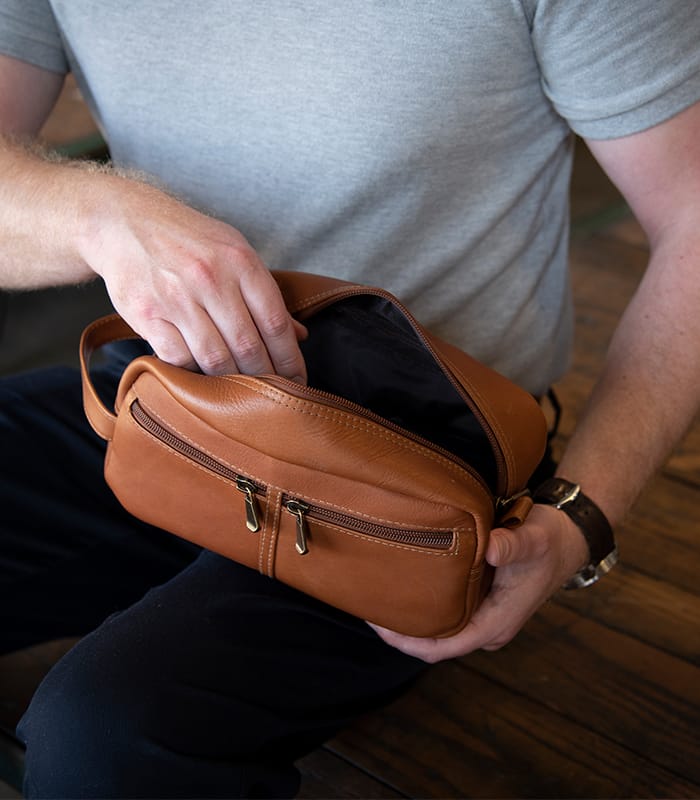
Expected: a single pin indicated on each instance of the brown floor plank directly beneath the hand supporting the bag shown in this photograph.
(616, 686)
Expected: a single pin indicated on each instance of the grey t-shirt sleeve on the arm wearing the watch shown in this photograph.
(616, 67)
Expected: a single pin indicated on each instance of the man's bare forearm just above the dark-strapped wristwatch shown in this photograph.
(647, 394)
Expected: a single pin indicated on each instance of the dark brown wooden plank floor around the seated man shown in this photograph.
(599, 696)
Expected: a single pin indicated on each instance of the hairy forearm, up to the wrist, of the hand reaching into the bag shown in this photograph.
(43, 202)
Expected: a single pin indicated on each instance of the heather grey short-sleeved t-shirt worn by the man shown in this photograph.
(421, 146)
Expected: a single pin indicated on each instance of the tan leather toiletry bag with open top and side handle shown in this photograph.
(373, 489)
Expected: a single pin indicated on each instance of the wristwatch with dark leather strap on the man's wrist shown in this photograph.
(594, 526)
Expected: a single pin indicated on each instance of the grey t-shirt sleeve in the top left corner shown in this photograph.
(28, 31)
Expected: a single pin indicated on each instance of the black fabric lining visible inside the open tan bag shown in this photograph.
(364, 349)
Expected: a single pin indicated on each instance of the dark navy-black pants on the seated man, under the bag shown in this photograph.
(196, 677)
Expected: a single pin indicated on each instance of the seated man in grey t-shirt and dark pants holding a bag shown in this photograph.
(425, 147)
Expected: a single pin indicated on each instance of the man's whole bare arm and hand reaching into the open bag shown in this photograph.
(190, 285)
